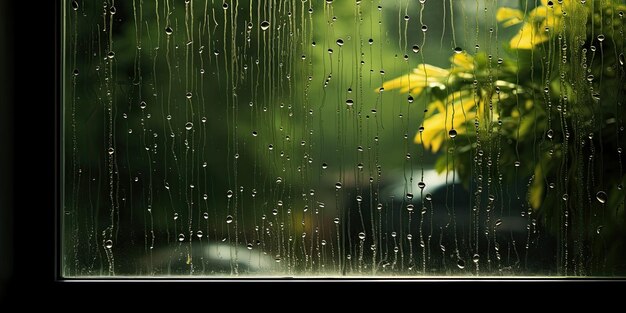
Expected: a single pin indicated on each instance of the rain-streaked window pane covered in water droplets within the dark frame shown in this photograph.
(343, 138)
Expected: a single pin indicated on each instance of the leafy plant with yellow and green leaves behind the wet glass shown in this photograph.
(552, 114)
